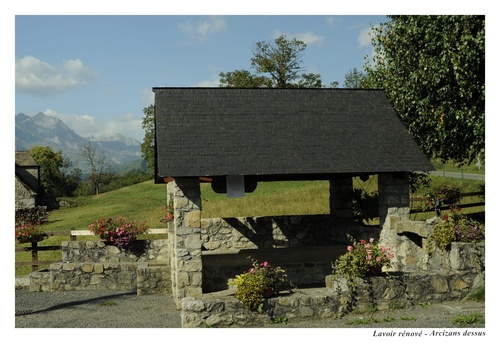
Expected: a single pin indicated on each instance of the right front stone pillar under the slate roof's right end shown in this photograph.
(394, 192)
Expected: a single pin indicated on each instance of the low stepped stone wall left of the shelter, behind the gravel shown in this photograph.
(92, 265)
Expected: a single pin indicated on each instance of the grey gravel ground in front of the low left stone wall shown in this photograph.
(92, 309)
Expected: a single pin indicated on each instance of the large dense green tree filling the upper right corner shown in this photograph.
(433, 70)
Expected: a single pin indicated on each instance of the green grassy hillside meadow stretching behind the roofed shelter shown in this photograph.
(145, 202)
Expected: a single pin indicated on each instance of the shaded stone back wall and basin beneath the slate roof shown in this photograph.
(305, 246)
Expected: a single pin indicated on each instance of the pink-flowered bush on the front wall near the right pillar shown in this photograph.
(361, 258)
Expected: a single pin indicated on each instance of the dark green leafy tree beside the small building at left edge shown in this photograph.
(57, 176)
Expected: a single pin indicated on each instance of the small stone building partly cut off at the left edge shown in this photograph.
(27, 180)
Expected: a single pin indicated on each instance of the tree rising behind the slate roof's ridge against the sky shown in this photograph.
(277, 64)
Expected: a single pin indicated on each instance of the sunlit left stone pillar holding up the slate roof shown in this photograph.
(185, 239)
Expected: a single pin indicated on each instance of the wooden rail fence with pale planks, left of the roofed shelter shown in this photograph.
(73, 234)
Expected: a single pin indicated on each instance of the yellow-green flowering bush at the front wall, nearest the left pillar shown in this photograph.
(253, 284)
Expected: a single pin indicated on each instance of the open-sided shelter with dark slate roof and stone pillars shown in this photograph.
(235, 138)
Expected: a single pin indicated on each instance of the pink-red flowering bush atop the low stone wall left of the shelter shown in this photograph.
(120, 231)
